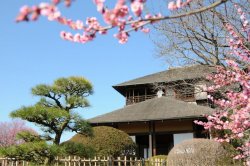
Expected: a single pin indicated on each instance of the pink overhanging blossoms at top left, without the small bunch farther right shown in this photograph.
(117, 17)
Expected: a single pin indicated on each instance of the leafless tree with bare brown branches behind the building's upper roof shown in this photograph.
(199, 38)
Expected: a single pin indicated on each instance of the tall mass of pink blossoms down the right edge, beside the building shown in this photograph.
(233, 110)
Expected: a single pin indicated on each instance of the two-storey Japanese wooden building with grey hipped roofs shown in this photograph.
(160, 109)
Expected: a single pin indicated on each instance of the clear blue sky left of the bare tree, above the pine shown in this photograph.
(33, 53)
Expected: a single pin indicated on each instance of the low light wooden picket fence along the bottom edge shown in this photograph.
(97, 161)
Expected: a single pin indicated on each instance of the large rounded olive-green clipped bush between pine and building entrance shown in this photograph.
(107, 141)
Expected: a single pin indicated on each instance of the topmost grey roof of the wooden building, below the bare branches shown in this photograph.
(174, 74)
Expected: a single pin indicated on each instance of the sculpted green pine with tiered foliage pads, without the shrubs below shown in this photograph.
(54, 112)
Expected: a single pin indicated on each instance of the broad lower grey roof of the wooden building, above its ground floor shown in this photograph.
(163, 108)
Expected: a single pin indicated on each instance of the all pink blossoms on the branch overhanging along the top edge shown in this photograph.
(126, 16)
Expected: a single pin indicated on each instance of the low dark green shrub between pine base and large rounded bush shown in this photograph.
(78, 149)
